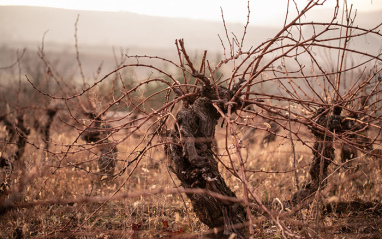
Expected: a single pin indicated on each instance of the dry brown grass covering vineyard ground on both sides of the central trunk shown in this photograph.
(36, 181)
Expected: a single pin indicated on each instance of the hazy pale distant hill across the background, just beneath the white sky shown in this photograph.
(98, 32)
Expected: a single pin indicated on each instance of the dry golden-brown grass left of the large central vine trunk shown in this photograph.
(70, 182)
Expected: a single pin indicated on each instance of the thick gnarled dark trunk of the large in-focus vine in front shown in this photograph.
(195, 166)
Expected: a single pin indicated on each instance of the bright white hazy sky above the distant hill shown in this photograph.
(262, 11)
